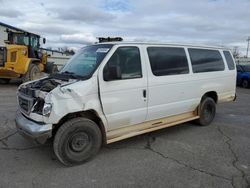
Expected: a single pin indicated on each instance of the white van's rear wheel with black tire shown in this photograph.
(207, 110)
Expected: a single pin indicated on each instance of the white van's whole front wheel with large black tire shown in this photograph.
(77, 141)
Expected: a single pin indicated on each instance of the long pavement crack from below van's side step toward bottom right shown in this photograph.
(149, 147)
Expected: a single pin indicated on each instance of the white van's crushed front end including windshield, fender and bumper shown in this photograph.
(43, 103)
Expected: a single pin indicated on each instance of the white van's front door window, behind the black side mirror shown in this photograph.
(126, 61)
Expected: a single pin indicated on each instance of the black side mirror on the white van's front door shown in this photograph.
(111, 73)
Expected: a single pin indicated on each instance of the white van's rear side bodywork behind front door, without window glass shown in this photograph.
(177, 94)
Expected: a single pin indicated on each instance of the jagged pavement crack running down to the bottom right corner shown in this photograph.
(236, 159)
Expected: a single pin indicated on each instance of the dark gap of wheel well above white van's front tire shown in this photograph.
(91, 114)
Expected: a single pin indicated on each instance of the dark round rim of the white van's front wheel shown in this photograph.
(79, 142)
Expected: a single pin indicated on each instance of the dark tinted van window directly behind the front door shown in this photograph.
(167, 61)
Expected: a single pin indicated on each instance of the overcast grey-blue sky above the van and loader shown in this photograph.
(75, 23)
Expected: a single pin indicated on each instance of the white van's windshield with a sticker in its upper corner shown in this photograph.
(85, 62)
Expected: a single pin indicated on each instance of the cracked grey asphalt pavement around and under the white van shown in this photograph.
(186, 155)
